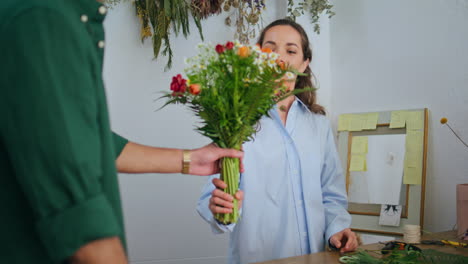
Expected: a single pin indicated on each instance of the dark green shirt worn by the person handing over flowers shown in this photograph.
(58, 180)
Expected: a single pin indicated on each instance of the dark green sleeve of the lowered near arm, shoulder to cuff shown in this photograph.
(52, 134)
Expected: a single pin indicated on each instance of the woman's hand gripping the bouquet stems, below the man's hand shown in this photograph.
(221, 202)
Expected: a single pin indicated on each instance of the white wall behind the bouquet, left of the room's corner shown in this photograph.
(162, 225)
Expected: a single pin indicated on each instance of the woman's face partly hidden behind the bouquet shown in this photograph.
(286, 41)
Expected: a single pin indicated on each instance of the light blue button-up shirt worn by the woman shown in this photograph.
(294, 190)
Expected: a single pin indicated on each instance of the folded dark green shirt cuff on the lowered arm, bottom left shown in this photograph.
(64, 233)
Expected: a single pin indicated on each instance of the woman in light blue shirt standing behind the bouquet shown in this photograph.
(293, 188)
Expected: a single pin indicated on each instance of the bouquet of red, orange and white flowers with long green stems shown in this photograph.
(230, 87)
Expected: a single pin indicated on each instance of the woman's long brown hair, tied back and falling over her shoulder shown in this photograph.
(309, 98)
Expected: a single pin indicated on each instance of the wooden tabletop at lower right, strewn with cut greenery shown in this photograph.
(332, 257)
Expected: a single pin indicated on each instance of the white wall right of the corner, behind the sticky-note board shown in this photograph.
(391, 55)
